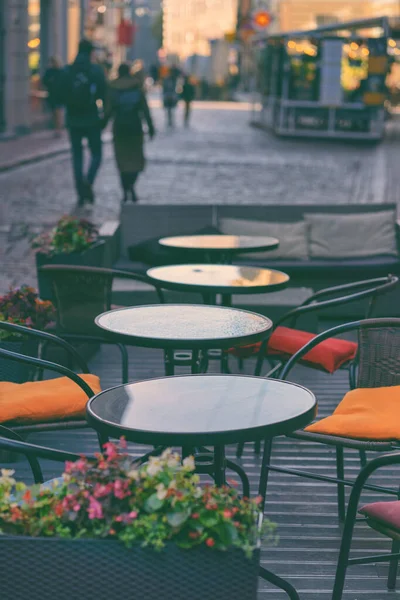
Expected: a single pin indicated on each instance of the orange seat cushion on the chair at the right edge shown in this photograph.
(366, 414)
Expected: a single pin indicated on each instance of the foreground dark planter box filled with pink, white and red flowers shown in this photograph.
(111, 529)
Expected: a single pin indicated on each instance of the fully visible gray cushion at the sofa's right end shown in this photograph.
(352, 236)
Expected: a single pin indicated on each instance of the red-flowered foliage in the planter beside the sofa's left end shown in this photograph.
(69, 235)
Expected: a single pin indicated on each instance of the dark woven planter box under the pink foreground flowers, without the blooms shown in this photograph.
(53, 568)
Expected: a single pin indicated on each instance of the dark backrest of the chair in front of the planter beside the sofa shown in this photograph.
(80, 294)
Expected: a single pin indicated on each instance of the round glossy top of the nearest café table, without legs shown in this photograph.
(205, 405)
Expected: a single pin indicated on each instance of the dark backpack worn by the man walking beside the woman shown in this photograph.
(81, 93)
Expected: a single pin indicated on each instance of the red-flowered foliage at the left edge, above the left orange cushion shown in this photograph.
(22, 306)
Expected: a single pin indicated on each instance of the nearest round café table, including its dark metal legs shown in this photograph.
(205, 410)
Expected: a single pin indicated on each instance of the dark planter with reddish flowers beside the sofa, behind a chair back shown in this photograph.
(73, 241)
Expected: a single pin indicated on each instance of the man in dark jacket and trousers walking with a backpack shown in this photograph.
(84, 84)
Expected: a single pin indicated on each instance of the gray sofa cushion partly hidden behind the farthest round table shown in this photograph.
(292, 236)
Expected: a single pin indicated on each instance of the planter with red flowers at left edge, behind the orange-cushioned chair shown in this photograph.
(22, 306)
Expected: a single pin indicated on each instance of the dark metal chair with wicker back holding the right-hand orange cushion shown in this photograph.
(378, 364)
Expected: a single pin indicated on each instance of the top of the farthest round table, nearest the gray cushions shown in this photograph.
(221, 243)
